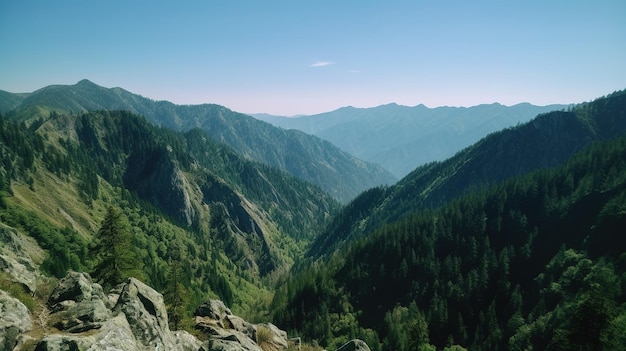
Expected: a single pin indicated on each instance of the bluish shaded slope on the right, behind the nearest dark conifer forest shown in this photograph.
(545, 141)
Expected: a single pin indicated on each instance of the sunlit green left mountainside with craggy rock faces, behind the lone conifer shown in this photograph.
(187, 199)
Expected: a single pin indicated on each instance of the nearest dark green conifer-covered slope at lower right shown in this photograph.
(535, 262)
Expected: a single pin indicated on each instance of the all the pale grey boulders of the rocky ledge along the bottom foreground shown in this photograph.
(132, 317)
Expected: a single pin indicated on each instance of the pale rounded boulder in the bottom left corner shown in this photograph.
(14, 320)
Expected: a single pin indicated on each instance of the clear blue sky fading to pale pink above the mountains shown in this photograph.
(303, 57)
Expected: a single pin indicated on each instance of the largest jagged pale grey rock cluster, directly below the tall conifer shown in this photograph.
(138, 320)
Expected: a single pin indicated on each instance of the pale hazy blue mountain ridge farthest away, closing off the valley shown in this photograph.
(401, 138)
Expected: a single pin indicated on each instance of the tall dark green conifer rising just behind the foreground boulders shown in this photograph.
(115, 254)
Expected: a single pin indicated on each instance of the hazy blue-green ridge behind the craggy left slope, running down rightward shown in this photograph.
(306, 157)
